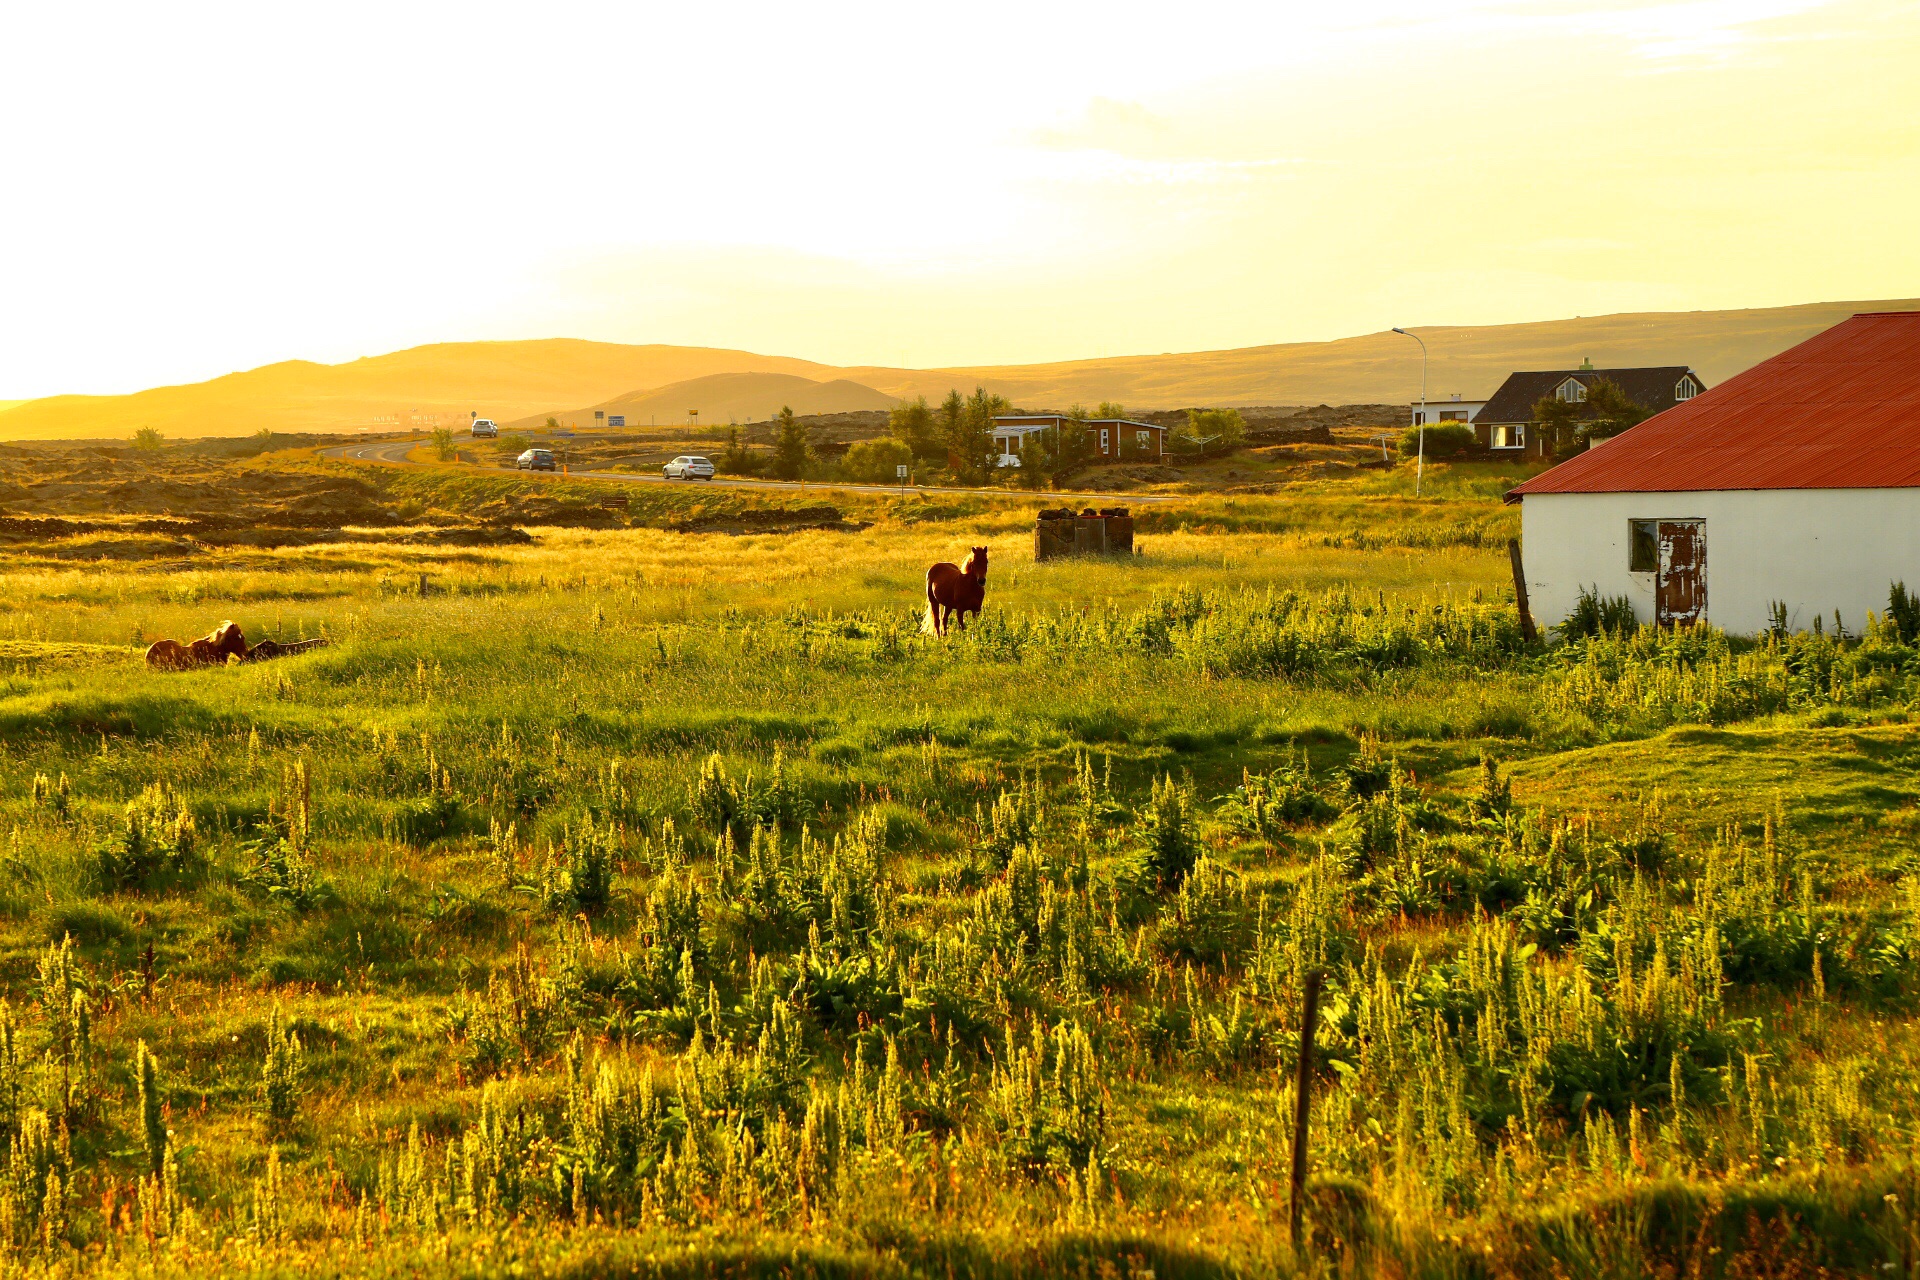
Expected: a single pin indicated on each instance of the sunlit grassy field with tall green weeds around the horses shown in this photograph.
(621, 901)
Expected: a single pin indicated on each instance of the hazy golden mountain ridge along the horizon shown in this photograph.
(564, 377)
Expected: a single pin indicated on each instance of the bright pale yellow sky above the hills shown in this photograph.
(187, 191)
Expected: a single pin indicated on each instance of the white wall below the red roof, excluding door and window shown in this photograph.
(1817, 550)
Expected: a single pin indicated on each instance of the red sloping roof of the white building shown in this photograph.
(1840, 412)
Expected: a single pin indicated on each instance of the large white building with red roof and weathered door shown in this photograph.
(1794, 483)
